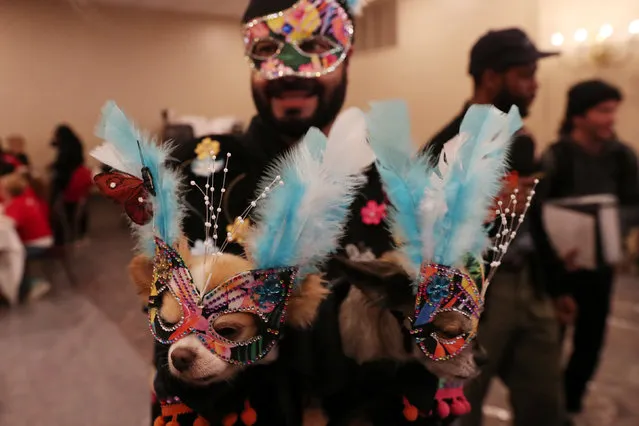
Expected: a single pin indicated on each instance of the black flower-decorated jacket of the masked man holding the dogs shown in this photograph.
(311, 364)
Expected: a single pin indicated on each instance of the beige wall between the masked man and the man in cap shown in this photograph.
(428, 68)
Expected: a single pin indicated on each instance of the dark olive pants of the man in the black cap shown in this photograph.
(520, 334)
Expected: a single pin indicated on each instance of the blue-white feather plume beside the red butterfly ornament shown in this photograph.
(120, 151)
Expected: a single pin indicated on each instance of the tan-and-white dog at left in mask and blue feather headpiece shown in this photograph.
(219, 316)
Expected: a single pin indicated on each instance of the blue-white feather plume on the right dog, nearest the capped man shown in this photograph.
(466, 182)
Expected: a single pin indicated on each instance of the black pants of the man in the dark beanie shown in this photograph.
(592, 292)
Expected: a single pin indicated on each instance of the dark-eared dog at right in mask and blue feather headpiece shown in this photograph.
(420, 306)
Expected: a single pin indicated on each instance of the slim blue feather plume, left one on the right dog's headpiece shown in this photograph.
(406, 175)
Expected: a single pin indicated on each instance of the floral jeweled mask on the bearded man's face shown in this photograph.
(310, 39)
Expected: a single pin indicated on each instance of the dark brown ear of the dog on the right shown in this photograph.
(384, 283)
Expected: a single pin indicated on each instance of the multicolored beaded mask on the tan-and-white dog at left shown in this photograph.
(263, 294)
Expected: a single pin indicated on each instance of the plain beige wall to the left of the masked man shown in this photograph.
(60, 64)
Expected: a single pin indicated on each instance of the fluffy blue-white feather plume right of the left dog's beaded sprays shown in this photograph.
(302, 220)
